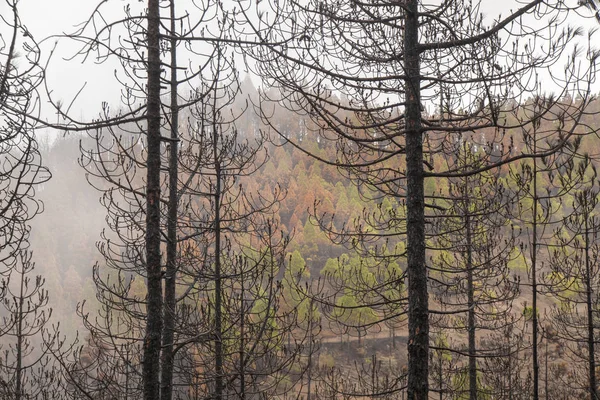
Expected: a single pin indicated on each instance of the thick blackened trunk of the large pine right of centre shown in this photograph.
(418, 307)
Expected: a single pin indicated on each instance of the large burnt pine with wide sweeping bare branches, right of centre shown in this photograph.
(366, 73)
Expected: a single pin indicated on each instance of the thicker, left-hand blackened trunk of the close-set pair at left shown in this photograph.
(152, 338)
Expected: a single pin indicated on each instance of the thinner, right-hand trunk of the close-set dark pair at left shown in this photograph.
(171, 272)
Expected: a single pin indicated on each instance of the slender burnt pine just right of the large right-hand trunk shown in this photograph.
(469, 274)
